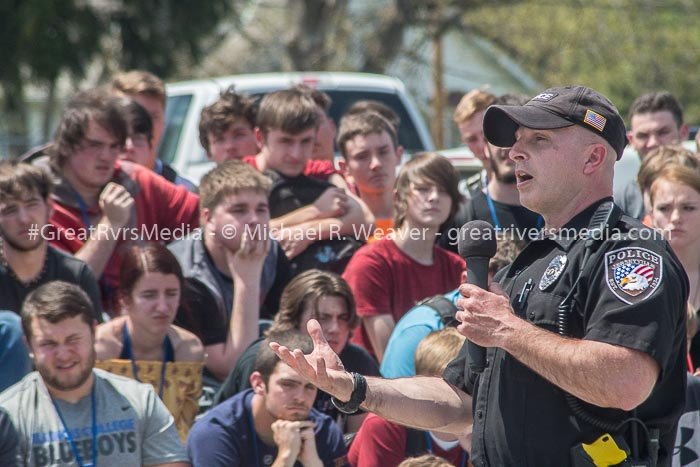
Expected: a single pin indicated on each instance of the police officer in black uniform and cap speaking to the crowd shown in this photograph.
(585, 333)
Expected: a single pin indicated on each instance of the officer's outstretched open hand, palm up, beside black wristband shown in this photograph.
(322, 367)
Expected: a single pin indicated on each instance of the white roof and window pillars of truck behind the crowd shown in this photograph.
(180, 145)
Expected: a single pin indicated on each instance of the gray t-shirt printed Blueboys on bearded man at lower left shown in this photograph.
(133, 426)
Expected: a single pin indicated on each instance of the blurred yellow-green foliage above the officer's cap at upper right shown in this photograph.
(620, 47)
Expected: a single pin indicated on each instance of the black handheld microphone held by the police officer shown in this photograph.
(477, 245)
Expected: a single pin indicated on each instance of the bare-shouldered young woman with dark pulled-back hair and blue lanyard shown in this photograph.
(143, 343)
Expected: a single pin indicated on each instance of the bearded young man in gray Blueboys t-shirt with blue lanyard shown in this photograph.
(67, 412)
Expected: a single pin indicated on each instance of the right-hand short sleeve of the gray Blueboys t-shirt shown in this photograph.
(161, 442)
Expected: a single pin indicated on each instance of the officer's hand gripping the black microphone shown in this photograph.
(486, 316)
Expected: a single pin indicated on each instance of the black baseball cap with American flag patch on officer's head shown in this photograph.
(557, 108)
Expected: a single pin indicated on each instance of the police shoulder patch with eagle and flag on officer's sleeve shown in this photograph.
(633, 274)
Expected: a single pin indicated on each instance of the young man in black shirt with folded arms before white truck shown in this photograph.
(303, 210)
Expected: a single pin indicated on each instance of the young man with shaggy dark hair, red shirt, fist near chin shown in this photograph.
(102, 203)
